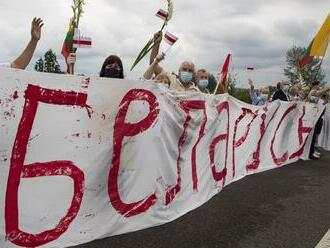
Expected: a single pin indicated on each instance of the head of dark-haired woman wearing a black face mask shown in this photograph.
(112, 67)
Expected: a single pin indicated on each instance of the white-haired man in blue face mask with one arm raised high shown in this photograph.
(184, 81)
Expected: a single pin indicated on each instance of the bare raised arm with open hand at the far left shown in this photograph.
(22, 61)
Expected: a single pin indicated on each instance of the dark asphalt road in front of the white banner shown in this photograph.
(283, 208)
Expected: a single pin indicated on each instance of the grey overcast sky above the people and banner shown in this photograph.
(257, 32)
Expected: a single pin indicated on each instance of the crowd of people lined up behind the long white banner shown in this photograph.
(190, 79)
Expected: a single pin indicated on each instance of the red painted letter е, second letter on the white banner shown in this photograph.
(123, 129)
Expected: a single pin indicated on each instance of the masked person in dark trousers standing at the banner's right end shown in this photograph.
(314, 97)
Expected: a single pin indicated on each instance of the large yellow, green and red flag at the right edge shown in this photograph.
(318, 46)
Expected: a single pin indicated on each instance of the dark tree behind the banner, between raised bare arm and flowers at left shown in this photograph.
(48, 63)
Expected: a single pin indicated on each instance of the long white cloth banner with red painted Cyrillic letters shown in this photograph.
(87, 158)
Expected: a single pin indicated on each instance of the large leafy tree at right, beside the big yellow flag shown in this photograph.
(309, 73)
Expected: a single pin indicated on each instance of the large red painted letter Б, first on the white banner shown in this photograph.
(18, 170)
